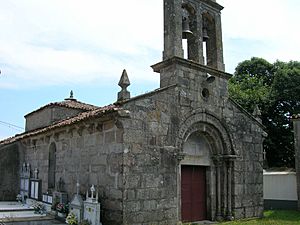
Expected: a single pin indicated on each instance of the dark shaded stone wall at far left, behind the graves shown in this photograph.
(9, 172)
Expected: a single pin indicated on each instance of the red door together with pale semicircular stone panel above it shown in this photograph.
(194, 179)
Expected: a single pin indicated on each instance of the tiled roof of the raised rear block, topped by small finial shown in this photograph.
(68, 103)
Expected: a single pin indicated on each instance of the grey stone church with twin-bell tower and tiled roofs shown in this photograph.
(184, 152)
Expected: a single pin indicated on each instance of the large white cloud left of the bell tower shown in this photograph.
(54, 42)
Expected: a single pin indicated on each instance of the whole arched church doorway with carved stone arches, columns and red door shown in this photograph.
(208, 162)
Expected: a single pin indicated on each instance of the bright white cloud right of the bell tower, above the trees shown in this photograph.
(272, 24)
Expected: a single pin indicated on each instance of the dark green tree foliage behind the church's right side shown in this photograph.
(275, 89)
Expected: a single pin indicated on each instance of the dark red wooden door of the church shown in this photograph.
(193, 193)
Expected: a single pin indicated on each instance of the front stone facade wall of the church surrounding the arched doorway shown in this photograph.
(150, 165)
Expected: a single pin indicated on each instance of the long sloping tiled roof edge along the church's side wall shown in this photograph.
(99, 111)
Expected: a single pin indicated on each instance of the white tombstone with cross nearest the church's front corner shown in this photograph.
(91, 211)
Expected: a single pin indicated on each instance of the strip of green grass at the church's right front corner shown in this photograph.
(272, 217)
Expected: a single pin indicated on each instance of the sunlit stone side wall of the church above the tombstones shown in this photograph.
(90, 152)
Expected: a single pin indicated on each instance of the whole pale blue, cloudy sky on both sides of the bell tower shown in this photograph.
(50, 47)
